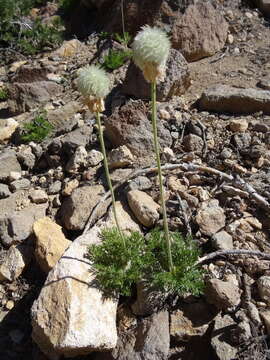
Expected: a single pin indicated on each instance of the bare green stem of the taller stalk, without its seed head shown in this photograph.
(156, 145)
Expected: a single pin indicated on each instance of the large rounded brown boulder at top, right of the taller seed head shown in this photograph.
(200, 32)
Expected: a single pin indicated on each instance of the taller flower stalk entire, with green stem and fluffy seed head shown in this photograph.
(151, 49)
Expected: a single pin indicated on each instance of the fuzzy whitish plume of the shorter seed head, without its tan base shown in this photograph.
(93, 82)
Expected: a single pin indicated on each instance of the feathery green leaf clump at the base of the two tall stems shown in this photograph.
(118, 268)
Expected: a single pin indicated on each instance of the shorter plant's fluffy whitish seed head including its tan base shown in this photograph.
(94, 85)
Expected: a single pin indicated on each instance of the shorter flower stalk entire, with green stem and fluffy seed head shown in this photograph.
(94, 84)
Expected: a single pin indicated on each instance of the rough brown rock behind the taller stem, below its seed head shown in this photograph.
(130, 126)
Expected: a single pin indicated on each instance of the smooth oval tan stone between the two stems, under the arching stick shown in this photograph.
(143, 207)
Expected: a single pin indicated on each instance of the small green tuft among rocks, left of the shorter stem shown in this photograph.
(37, 130)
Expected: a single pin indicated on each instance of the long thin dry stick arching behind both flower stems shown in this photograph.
(236, 181)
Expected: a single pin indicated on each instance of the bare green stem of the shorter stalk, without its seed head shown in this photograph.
(105, 161)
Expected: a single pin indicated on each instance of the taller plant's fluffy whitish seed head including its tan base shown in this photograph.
(151, 49)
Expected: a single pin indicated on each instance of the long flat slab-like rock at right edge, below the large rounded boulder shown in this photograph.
(224, 98)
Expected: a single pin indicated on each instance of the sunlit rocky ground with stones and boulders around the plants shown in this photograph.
(214, 130)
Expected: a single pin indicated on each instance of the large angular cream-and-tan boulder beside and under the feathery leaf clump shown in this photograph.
(71, 317)
